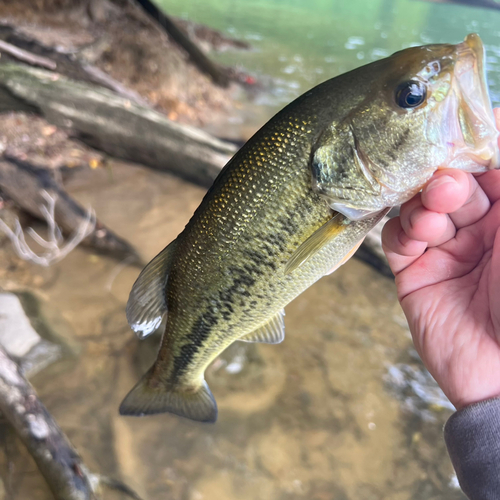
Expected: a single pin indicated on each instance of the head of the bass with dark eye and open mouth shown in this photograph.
(422, 109)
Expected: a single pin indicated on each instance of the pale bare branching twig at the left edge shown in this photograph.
(54, 252)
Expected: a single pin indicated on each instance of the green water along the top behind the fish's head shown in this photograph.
(299, 44)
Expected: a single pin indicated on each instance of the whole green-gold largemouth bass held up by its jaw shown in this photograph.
(296, 201)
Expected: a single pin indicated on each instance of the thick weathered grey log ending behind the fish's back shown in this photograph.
(114, 124)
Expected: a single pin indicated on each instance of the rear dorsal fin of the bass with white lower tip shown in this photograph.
(146, 306)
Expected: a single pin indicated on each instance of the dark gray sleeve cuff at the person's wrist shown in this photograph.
(472, 437)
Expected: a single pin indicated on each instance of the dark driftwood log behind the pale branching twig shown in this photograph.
(25, 185)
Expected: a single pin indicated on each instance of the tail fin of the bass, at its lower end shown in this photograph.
(146, 400)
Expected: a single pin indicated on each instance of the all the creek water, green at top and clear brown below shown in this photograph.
(343, 409)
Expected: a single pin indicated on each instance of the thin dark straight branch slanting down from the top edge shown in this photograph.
(217, 73)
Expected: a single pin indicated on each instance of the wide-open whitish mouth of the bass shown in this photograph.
(473, 138)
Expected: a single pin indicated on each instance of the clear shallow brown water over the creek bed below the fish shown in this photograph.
(340, 410)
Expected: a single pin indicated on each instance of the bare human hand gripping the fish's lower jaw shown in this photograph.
(445, 252)
